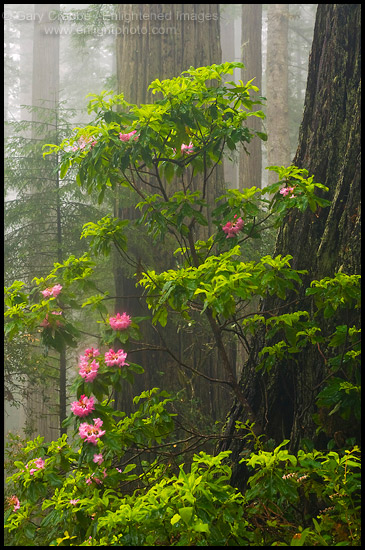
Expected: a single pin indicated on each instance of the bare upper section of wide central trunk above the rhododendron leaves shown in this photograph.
(161, 41)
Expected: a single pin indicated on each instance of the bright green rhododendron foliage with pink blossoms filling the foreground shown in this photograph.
(127, 480)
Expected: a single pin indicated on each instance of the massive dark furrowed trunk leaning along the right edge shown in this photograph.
(329, 148)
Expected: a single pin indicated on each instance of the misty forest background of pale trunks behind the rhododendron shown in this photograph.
(95, 47)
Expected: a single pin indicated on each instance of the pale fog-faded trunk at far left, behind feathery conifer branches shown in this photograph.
(45, 97)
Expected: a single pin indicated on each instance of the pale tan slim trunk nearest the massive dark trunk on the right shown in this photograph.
(277, 121)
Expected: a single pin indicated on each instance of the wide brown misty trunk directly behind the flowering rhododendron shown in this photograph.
(167, 39)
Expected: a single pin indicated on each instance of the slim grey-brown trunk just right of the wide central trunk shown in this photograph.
(250, 165)
